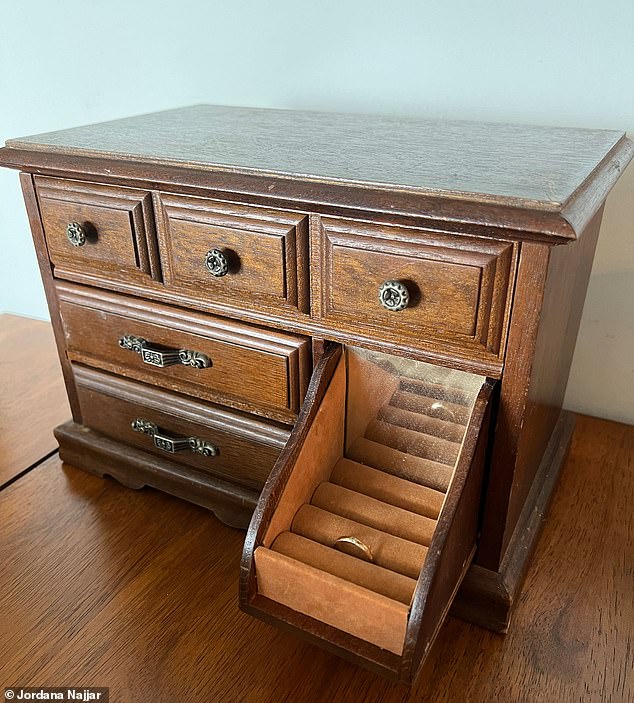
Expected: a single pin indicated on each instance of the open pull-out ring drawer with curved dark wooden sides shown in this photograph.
(368, 522)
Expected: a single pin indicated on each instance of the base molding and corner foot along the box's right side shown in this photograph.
(486, 598)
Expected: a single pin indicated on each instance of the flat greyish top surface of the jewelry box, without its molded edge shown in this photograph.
(532, 167)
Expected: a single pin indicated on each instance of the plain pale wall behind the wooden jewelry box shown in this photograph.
(569, 63)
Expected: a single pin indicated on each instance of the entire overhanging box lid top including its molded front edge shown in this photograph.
(543, 182)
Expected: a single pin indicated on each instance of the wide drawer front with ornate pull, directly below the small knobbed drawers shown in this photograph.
(248, 368)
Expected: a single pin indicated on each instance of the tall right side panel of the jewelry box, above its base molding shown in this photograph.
(550, 293)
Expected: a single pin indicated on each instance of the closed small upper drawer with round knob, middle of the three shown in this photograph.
(235, 255)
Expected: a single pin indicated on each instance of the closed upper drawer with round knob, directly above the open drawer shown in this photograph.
(413, 286)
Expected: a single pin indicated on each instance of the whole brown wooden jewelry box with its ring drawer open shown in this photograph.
(353, 333)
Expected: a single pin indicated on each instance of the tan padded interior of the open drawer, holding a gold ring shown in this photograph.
(381, 487)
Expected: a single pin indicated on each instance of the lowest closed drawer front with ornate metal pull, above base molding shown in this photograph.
(215, 441)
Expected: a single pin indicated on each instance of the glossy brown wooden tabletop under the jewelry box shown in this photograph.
(101, 585)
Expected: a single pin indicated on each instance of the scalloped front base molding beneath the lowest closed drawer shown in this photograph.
(134, 468)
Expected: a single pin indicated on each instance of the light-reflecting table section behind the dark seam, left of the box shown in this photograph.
(32, 395)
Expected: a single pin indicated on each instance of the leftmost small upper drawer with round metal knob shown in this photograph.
(106, 232)
